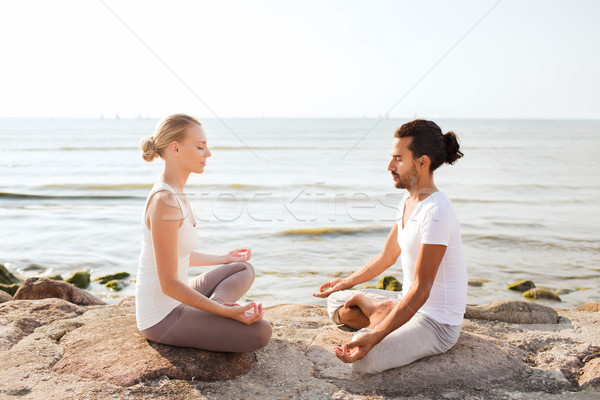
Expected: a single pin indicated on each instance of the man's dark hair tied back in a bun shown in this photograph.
(428, 140)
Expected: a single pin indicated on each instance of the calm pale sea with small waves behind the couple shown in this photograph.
(312, 198)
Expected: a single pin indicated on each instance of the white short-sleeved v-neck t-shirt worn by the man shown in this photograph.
(434, 221)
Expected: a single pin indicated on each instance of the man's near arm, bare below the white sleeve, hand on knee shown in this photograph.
(428, 261)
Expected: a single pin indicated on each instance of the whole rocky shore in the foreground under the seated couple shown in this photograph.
(59, 342)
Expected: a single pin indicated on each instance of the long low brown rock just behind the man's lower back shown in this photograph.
(513, 311)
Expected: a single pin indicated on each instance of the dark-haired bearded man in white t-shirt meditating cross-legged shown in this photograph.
(425, 318)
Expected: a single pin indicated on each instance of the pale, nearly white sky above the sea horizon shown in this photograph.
(278, 59)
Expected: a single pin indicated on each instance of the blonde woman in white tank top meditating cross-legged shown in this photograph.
(202, 314)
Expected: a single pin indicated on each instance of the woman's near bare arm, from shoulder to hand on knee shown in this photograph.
(164, 226)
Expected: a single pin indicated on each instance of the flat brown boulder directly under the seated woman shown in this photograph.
(122, 356)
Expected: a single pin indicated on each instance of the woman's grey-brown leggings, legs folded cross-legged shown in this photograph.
(187, 326)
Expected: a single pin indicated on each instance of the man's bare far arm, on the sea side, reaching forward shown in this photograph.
(370, 270)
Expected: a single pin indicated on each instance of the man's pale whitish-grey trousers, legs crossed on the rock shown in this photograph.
(420, 337)
